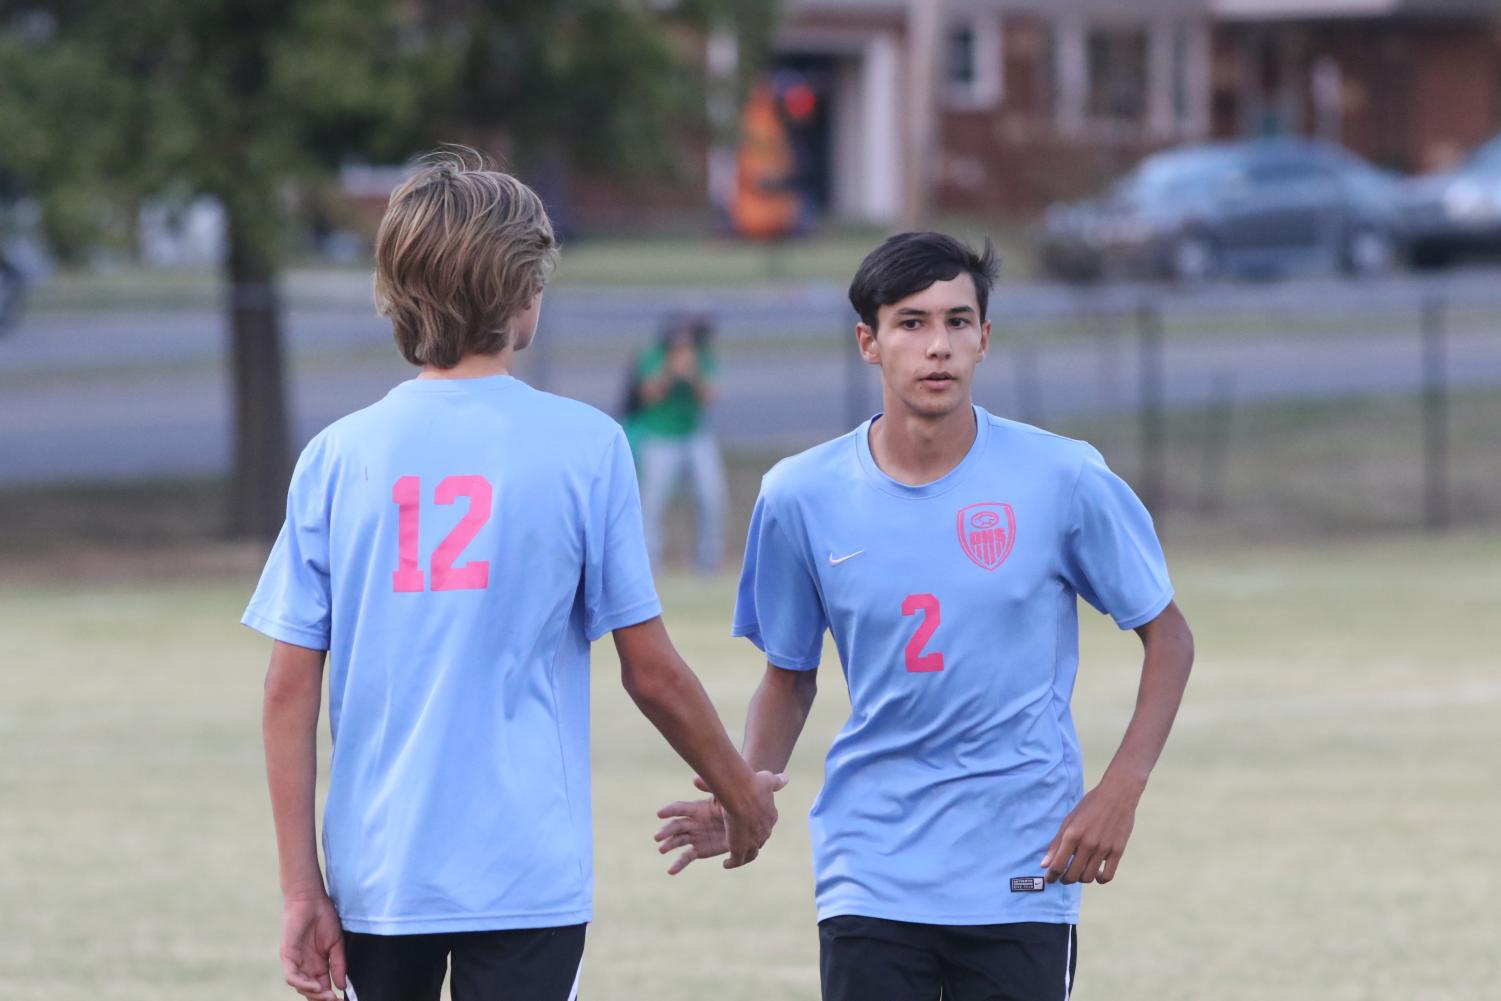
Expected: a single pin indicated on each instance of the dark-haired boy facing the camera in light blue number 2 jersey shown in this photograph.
(945, 550)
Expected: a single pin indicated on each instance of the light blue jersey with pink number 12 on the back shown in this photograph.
(456, 549)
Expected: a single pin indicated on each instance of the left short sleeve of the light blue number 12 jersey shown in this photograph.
(293, 601)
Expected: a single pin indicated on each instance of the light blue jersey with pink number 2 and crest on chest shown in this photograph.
(954, 607)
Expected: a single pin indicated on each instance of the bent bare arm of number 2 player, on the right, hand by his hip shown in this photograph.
(1093, 837)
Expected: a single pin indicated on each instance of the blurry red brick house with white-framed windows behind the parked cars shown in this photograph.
(1044, 100)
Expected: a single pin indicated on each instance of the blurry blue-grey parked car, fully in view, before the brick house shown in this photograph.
(1256, 208)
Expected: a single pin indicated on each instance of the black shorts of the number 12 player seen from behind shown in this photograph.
(535, 964)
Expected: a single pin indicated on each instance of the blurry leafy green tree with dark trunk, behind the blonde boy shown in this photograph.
(256, 101)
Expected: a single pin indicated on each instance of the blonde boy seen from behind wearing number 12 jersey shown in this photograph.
(453, 552)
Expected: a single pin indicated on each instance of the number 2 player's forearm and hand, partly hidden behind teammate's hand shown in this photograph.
(774, 724)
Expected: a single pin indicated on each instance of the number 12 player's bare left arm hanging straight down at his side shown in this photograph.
(313, 942)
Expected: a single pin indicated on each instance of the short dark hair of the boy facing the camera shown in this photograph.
(909, 263)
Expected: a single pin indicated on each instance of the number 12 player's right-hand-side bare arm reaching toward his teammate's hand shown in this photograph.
(672, 697)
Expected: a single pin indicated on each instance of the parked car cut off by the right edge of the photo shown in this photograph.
(1458, 212)
